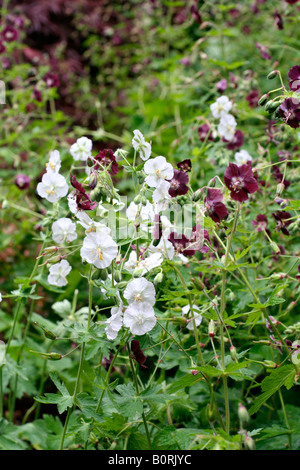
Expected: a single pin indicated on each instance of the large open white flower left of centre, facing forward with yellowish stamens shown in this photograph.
(99, 249)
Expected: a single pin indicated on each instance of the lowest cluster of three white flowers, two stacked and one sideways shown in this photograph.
(139, 315)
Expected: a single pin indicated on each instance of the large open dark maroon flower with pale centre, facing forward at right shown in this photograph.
(240, 180)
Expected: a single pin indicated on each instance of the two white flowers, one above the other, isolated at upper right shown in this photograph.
(227, 123)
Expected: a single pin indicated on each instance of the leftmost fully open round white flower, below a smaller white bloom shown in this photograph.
(52, 187)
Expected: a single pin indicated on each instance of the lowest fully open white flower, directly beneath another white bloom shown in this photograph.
(139, 318)
